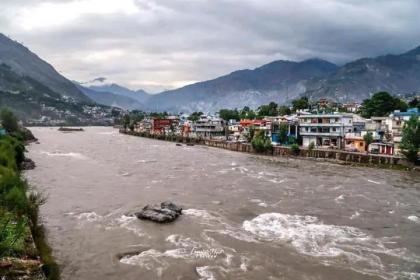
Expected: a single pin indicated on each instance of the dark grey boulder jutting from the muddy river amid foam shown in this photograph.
(165, 213)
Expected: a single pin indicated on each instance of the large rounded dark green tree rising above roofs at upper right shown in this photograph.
(381, 104)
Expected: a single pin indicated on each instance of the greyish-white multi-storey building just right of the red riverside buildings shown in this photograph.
(209, 127)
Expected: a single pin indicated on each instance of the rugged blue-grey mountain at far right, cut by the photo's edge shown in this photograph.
(358, 80)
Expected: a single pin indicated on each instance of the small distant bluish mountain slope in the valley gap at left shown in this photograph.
(111, 99)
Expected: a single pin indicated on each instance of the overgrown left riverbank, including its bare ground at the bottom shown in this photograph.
(24, 252)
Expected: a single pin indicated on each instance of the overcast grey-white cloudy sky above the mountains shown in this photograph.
(162, 44)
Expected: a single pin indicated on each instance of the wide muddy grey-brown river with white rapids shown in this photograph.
(245, 217)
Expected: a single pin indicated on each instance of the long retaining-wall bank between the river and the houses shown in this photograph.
(338, 156)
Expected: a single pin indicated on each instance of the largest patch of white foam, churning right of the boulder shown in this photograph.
(330, 243)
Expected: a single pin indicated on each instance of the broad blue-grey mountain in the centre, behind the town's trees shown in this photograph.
(277, 81)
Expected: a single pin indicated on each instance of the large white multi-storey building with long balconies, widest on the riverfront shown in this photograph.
(325, 130)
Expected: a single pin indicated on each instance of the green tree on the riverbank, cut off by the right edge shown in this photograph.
(410, 142)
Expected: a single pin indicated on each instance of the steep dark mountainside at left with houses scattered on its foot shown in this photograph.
(39, 95)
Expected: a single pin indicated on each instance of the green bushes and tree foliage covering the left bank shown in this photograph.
(18, 205)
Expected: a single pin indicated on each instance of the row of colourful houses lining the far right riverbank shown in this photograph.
(344, 131)
